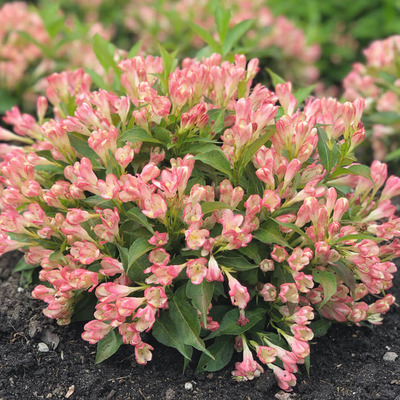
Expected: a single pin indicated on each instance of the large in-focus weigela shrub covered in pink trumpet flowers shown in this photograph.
(215, 215)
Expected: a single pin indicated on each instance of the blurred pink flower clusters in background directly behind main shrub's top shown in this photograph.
(277, 37)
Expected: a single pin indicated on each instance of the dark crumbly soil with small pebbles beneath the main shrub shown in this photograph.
(348, 363)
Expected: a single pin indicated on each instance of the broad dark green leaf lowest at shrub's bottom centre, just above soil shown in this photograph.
(222, 350)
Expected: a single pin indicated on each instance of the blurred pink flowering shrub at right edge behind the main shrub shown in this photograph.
(378, 81)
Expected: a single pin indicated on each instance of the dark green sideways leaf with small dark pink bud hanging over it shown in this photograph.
(229, 325)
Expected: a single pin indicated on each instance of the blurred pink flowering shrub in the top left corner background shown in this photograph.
(35, 43)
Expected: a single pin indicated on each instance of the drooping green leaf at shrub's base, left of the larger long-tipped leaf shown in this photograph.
(164, 330)
